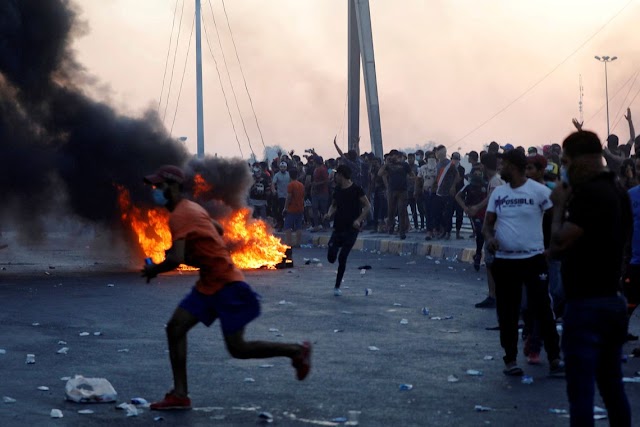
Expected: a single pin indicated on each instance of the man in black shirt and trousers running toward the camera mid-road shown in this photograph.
(350, 206)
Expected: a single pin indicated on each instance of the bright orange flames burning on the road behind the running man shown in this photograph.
(252, 244)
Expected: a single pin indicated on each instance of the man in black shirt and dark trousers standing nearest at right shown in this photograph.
(592, 223)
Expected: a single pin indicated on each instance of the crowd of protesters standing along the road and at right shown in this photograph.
(558, 228)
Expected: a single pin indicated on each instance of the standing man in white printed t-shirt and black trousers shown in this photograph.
(513, 232)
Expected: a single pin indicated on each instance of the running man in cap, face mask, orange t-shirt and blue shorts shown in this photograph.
(220, 291)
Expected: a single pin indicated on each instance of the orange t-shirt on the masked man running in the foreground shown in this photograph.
(204, 247)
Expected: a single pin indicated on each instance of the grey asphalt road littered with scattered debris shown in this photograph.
(40, 306)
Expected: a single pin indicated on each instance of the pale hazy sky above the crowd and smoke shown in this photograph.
(444, 67)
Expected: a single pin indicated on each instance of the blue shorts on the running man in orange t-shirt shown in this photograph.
(236, 304)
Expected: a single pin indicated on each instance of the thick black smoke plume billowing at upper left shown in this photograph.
(58, 147)
